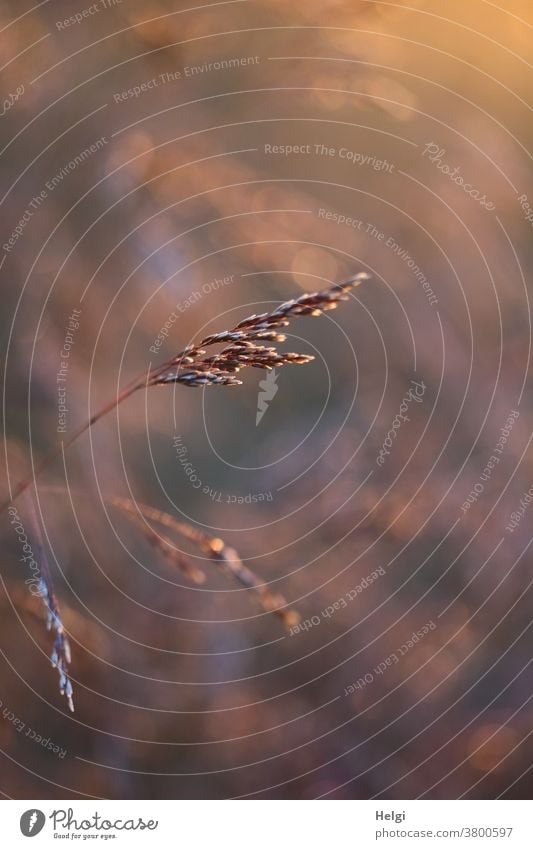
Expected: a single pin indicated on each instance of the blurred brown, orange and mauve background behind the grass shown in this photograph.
(186, 691)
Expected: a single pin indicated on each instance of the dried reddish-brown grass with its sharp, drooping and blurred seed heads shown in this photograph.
(242, 346)
